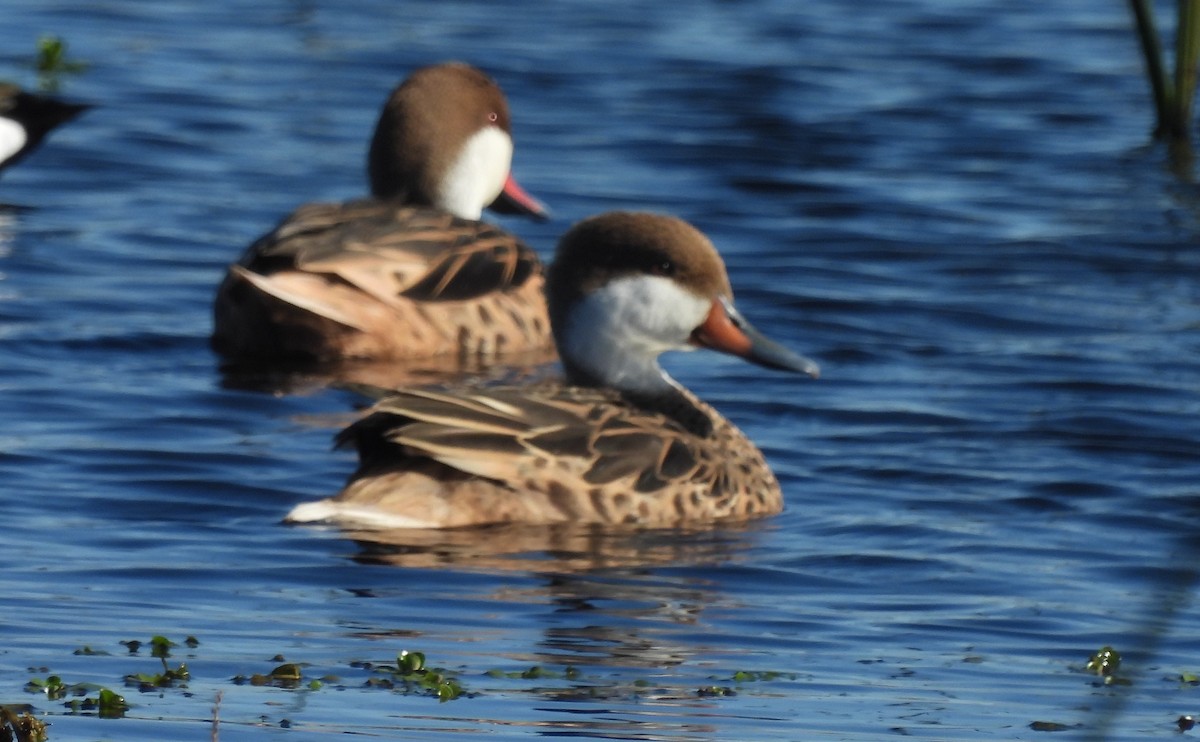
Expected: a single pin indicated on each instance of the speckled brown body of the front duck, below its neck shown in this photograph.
(574, 454)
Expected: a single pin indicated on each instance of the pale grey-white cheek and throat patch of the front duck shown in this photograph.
(619, 332)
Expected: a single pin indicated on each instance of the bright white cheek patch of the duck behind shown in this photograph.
(478, 176)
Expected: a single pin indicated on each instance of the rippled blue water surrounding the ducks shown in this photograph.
(955, 207)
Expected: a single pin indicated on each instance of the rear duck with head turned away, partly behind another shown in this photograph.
(411, 272)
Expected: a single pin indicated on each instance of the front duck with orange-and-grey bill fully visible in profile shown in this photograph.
(617, 441)
